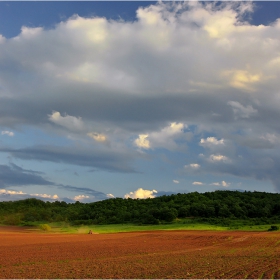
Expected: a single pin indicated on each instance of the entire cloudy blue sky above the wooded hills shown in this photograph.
(138, 99)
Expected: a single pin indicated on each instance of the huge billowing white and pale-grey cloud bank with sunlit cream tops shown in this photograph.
(178, 33)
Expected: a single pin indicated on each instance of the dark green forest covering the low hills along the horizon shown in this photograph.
(217, 207)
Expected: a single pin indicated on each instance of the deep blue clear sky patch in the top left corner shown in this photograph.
(48, 14)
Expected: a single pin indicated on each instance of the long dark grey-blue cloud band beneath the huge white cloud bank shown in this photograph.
(135, 113)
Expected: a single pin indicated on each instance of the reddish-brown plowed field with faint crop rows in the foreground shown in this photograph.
(155, 254)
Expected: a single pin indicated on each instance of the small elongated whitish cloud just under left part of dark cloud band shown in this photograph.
(69, 122)
